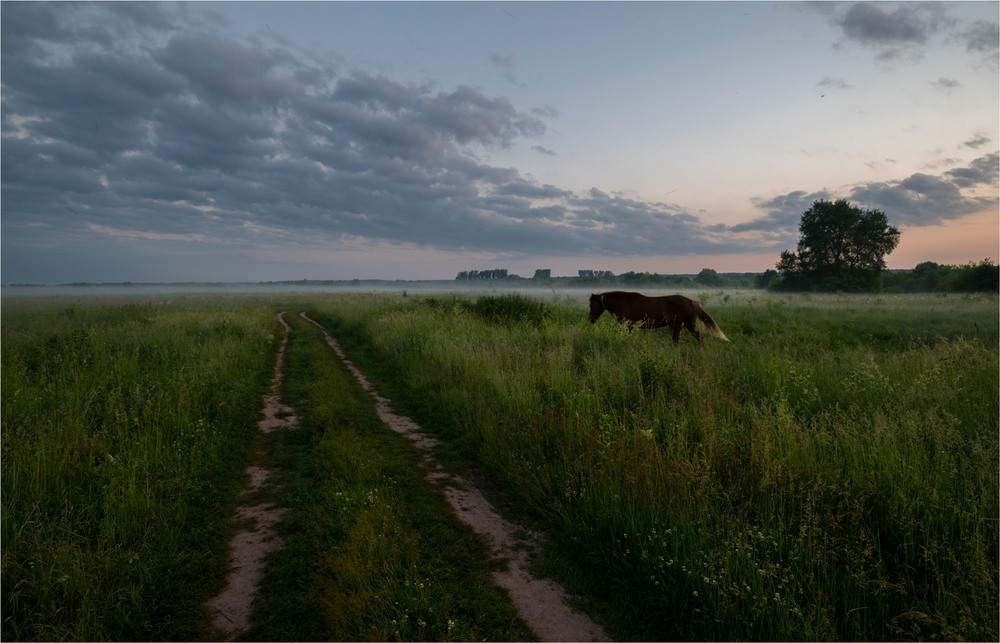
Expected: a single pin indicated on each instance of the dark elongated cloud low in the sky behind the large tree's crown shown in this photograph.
(919, 199)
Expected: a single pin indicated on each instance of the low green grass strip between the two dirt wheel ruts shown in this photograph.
(372, 551)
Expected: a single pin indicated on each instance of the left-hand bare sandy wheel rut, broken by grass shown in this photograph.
(231, 608)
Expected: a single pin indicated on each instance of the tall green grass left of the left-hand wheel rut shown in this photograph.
(125, 426)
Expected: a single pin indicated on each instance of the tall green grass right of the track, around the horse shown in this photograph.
(830, 474)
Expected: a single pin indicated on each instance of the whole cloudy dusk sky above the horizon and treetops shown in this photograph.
(268, 141)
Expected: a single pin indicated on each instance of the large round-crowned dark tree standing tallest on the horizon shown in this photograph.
(841, 247)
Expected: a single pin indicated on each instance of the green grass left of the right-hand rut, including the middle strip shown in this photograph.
(127, 425)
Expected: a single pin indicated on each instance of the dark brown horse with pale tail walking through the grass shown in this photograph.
(676, 311)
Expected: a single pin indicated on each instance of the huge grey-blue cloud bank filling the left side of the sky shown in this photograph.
(124, 119)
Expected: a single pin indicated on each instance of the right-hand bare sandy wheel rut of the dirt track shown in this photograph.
(540, 602)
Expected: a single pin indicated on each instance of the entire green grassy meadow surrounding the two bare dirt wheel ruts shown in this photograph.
(832, 473)
